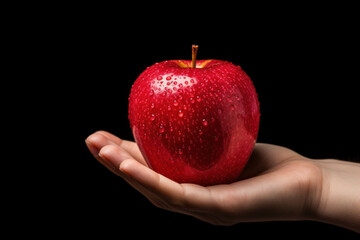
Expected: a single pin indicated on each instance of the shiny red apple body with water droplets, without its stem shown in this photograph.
(195, 125)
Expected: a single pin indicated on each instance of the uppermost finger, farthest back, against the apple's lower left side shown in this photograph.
(129, 146)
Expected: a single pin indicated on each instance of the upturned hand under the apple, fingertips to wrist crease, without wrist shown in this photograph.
(274, 185)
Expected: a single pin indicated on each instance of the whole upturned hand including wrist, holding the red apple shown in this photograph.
(276, 184)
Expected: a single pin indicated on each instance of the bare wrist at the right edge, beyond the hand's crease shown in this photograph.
(338, 200)
